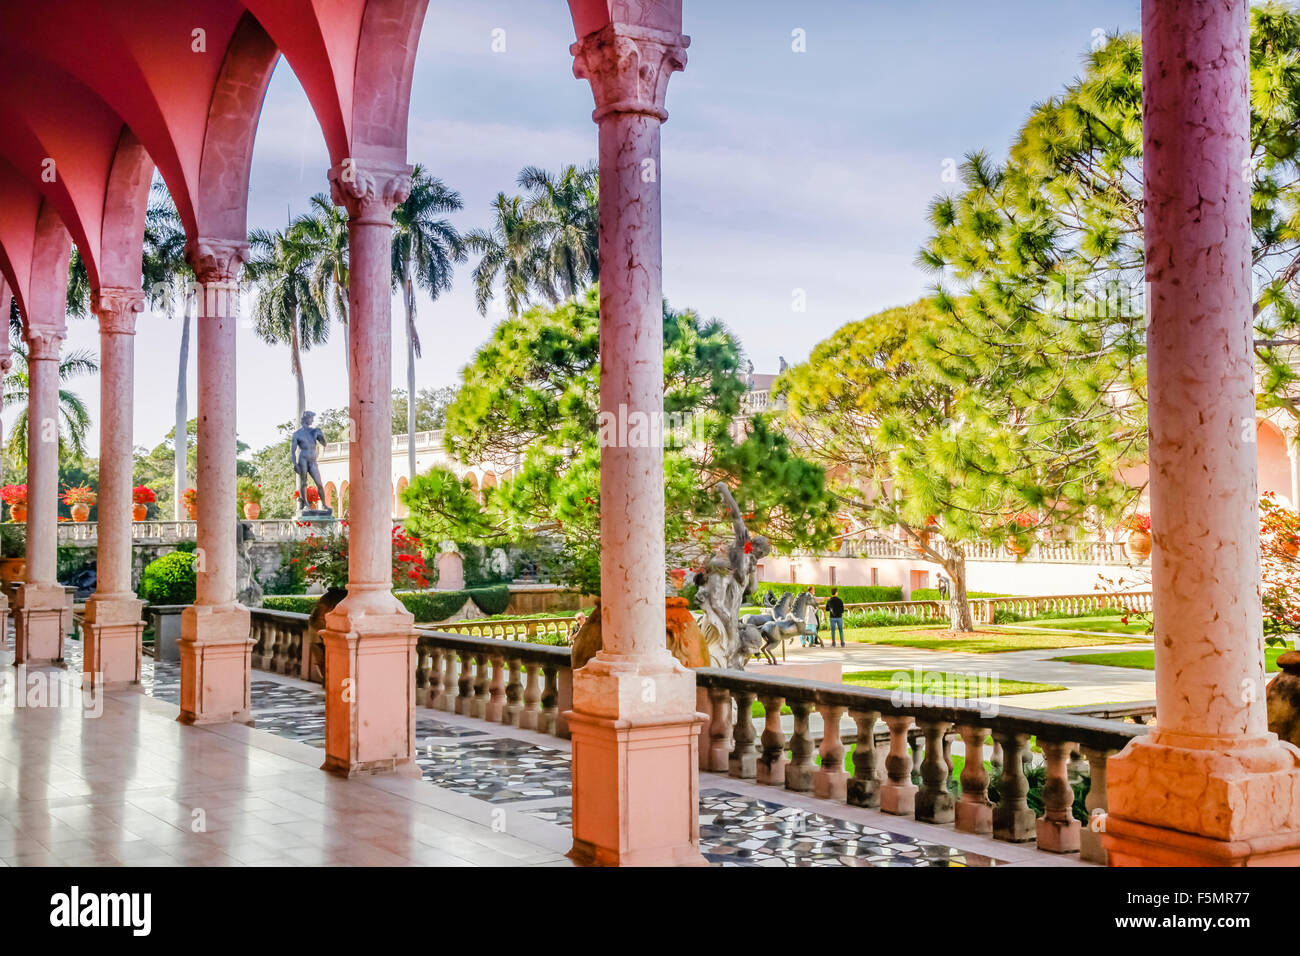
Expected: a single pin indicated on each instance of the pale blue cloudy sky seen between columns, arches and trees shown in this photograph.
(782, 171)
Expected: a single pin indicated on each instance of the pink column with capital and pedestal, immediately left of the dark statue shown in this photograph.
(216, 648)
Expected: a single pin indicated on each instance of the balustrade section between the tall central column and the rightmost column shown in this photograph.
(907, 768)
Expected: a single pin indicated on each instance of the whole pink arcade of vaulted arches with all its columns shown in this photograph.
(107, 93)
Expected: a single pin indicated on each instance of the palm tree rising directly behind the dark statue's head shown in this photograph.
(287, 312)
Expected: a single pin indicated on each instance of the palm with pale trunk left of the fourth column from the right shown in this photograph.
(167, 276)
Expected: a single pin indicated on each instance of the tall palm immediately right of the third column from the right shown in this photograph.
(424, 250)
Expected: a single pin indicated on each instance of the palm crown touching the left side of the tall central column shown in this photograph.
(566, 211)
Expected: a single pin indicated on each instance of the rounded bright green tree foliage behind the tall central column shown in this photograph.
(534, 393)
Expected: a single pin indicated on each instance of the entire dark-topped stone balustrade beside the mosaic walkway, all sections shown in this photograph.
(905, 771)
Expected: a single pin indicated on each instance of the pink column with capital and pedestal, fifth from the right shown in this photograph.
(112, 626)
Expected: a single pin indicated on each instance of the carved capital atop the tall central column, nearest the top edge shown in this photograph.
(629, 68)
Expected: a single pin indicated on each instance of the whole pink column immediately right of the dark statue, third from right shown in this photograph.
(370, 638)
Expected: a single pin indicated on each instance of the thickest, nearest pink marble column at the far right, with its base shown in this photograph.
(1210, 785)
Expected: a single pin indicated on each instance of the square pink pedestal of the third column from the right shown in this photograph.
(370, 690)
